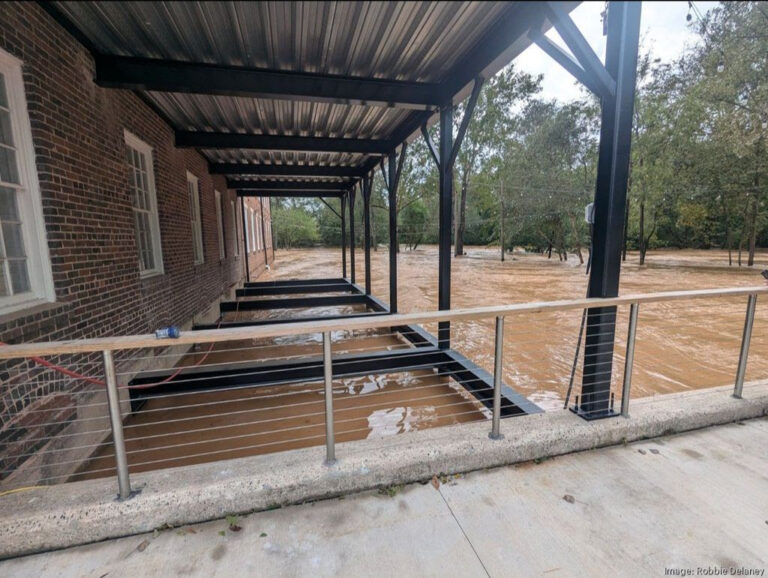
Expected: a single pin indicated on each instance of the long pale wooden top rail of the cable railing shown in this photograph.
(303, 328)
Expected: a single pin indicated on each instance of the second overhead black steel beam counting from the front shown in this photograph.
(226, 140)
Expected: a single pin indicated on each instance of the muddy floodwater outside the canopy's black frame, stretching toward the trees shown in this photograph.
(680, 345)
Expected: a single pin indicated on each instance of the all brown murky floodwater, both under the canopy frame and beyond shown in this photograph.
(680, 346)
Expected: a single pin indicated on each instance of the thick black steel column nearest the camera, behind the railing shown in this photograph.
(623, 27)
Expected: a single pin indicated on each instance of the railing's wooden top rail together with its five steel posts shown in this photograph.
(108, 345)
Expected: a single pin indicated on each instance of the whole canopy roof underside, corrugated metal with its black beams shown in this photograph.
(299, 89)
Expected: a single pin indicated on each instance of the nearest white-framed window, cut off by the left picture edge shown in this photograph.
(25, 265)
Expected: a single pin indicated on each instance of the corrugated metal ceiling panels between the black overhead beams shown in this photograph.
(411, 41)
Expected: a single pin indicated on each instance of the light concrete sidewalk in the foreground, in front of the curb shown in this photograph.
(695, 500)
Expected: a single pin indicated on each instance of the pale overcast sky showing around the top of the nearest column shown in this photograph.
(663, 29)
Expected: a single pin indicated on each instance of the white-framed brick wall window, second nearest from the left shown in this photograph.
(139, 156)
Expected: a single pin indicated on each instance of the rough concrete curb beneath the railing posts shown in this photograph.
(83, 512)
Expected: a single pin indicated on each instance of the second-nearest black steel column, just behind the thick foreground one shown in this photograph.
(446, 216)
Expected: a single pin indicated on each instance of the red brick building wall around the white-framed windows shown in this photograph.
(77, 130)
